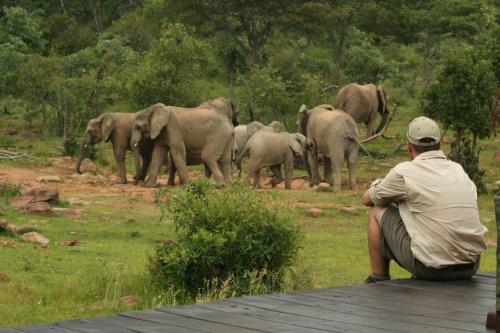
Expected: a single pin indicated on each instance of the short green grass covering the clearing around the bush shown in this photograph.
(119, 231)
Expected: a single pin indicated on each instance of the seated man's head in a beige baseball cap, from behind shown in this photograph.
(423, 135)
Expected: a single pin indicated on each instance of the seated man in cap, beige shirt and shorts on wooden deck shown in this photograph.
(424, 214)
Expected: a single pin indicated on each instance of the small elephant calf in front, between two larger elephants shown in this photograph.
(271, 149)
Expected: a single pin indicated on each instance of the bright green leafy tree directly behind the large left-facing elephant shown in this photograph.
(166, 74)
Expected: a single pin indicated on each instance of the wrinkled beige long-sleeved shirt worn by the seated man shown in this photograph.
(438, 205)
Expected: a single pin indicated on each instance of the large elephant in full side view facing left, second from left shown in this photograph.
(204, 133)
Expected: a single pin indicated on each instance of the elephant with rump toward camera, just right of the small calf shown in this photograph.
(335, 135)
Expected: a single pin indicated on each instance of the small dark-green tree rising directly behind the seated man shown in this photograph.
(461, 99)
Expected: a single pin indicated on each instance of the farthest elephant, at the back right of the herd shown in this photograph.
(363, 102)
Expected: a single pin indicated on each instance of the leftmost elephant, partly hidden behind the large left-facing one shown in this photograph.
(117, 128)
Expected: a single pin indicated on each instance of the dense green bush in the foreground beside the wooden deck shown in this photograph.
(230, 241)
